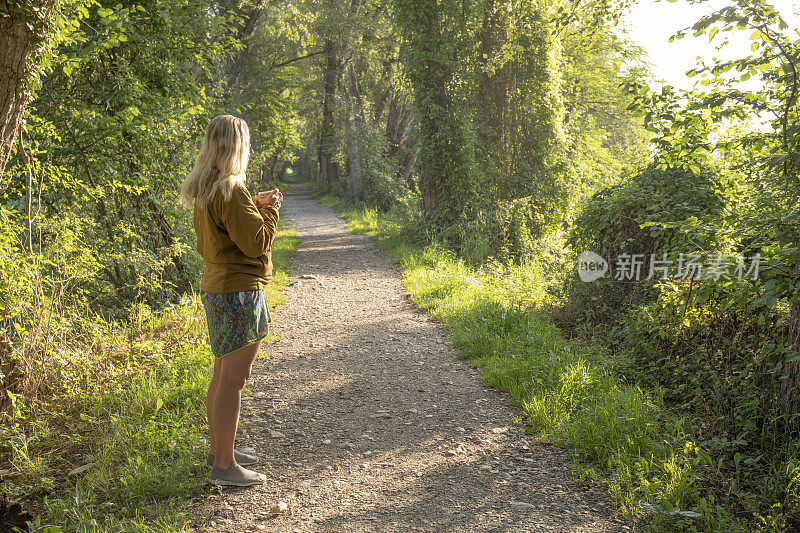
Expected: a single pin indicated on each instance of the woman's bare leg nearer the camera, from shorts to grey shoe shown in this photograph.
(227, 401)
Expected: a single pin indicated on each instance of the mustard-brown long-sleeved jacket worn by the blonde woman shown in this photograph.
(235, 240)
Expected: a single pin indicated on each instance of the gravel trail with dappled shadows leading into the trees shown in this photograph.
(368, 421)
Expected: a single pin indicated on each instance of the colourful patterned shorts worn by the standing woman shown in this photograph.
(235, 320)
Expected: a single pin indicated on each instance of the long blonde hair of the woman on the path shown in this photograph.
(221, 162)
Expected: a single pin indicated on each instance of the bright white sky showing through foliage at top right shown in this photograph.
(652, 22)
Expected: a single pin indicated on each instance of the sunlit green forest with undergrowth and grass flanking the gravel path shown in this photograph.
(499, 150)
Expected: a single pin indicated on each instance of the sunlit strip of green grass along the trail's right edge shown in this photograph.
(618, 434)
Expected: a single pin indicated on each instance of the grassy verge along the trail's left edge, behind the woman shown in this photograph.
(128, 407)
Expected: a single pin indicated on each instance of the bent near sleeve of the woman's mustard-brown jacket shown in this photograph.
(250, 228)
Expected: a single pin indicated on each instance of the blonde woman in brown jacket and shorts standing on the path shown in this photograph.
(234, 237)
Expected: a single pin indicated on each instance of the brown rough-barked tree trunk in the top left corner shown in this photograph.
(22, 36)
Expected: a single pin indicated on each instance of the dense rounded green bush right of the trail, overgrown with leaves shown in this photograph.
(653, 212)
